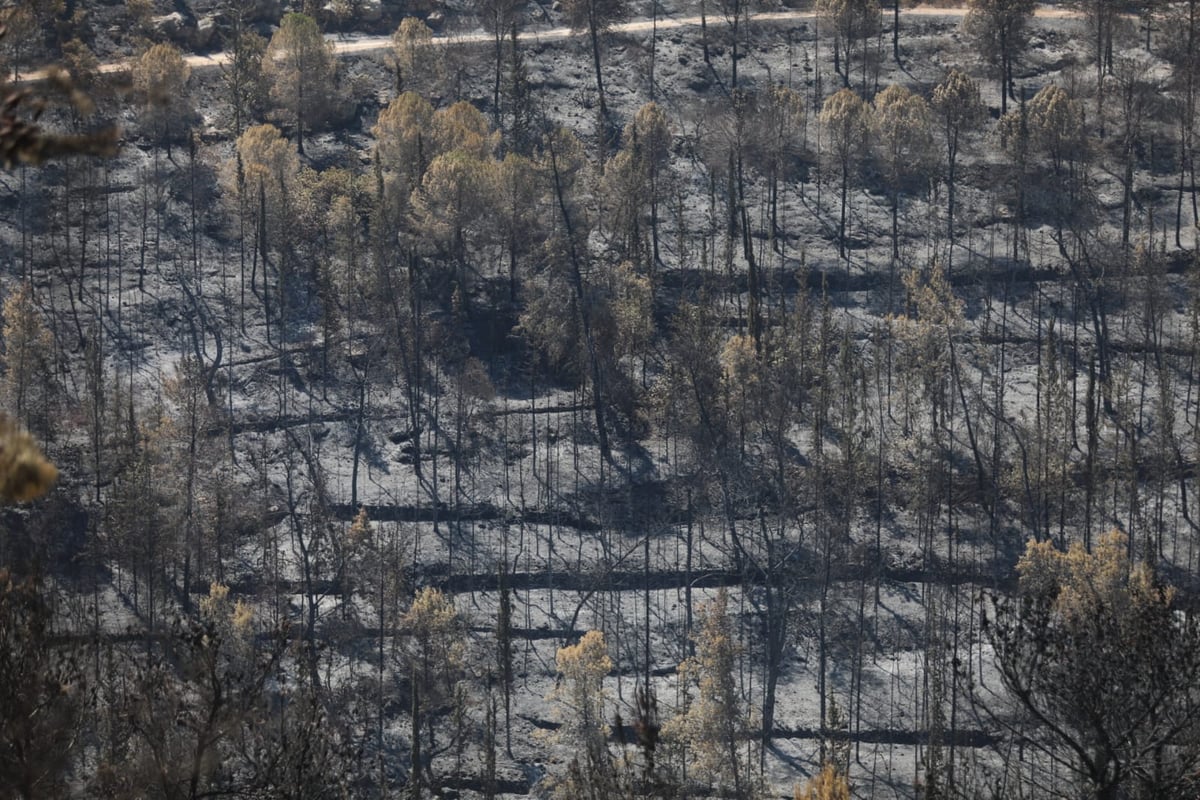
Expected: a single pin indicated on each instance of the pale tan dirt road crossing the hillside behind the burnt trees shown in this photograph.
(382, 44)
